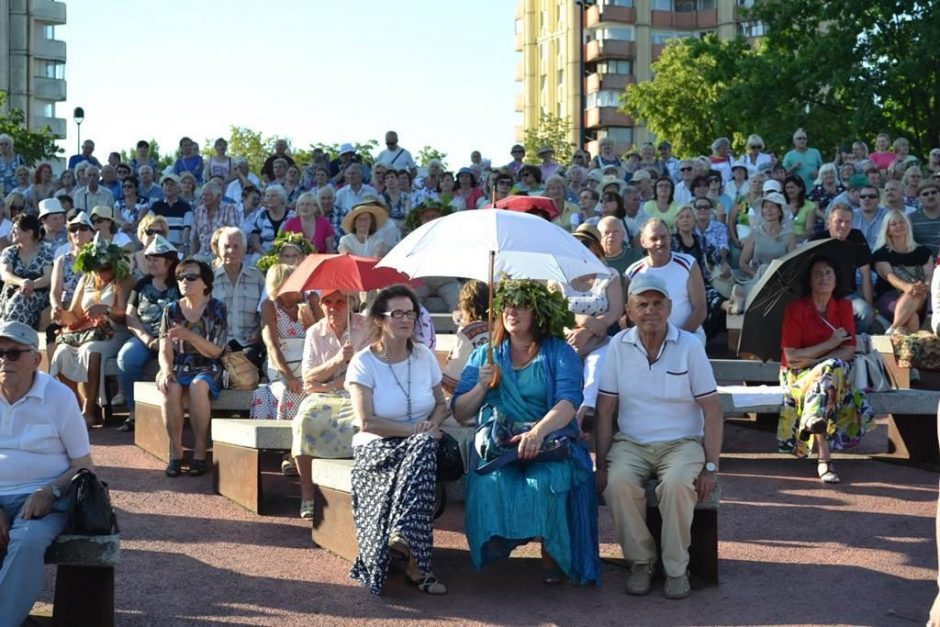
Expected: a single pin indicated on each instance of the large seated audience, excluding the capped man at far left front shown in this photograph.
(185, 267)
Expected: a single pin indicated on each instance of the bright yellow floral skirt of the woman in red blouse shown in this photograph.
(823, 391)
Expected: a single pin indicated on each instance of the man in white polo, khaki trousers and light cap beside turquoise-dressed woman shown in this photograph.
(658, 383)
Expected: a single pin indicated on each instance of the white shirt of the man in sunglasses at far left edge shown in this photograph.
(39, 435)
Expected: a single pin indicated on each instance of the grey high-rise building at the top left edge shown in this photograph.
(32, 60)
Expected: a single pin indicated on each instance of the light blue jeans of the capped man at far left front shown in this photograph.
(21, 575)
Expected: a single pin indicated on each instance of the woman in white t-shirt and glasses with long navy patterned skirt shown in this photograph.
(398, 402)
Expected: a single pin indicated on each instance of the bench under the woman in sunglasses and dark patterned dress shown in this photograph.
(150, 432)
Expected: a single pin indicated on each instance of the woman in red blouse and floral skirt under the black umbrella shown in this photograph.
(817, 346)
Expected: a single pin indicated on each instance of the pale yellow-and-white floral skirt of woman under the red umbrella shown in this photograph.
(323, 427)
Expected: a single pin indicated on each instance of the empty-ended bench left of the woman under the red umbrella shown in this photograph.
(238, 448)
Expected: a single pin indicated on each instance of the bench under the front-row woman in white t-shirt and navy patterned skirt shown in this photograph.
(333, 526)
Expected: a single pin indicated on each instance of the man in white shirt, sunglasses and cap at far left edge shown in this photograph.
(43, 442)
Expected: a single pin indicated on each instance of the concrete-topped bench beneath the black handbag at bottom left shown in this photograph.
(84, 585)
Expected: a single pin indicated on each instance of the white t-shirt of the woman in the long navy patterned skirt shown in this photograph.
(389, 400)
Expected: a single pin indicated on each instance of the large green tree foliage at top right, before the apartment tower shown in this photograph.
(842, 71)
